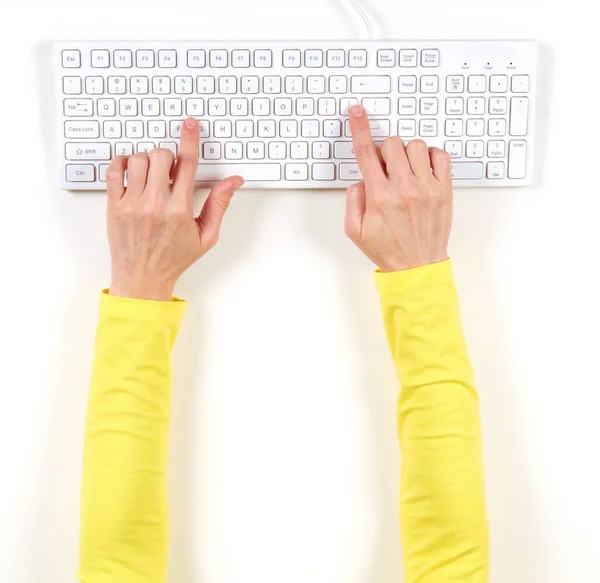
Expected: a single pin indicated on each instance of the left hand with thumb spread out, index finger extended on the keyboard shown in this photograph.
(152, 232)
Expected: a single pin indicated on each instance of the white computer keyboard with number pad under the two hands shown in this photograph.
(276, 112)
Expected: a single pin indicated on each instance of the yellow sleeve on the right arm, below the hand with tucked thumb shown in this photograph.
(443, 519)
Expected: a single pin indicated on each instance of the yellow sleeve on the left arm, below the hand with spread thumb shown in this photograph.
(124, 511)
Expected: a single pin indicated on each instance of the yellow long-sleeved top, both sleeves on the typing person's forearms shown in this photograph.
(443, 523)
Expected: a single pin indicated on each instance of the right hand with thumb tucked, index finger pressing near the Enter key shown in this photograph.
(400, 215)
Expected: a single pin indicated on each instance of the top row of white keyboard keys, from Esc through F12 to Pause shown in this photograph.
(244, 58)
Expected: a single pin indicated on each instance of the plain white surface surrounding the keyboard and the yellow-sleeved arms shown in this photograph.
(284, 465)
